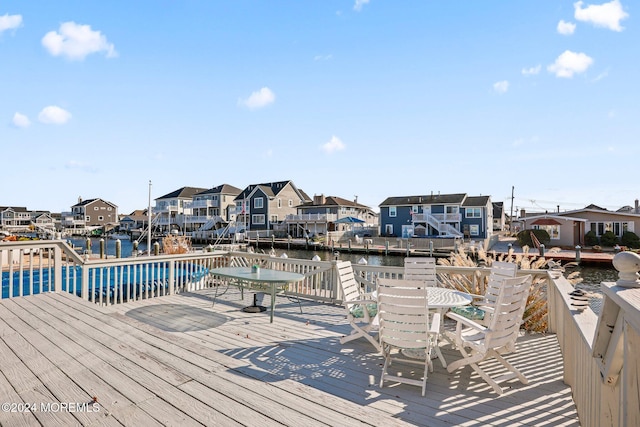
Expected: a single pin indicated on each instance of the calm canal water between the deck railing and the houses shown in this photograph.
(592, 275)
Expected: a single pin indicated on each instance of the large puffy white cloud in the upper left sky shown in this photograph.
(76, 41)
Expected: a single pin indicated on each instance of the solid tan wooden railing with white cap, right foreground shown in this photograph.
(600, 353)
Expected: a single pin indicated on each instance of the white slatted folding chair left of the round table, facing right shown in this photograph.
(360, 307)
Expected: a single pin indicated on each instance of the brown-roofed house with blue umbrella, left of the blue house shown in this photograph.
(326, 214)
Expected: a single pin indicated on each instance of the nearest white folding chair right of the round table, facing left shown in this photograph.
(478, 343)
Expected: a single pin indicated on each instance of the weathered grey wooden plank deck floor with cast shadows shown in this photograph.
(177, 360)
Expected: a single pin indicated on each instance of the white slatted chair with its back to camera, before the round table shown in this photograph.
(406, 326)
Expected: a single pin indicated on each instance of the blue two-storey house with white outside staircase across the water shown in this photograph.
(445, 215)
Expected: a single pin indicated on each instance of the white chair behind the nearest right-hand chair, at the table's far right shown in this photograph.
(483, 303)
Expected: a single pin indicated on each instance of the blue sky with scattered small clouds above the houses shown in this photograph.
(365, 98)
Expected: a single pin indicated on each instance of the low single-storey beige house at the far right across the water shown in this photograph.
(569, 228)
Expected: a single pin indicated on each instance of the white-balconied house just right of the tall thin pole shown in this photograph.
(172, 208)
